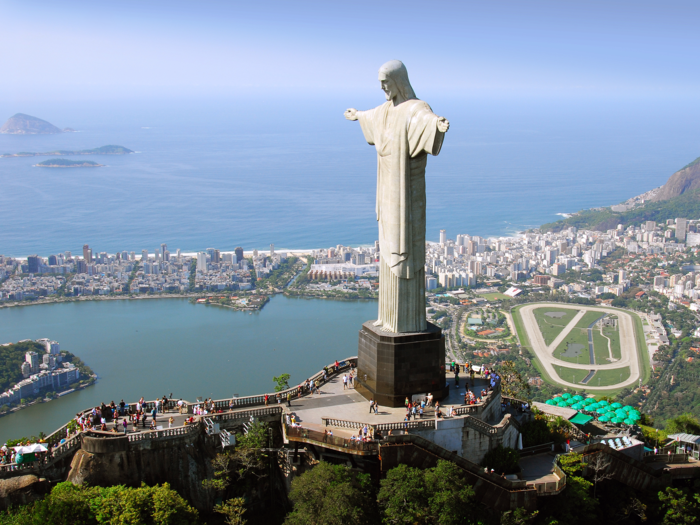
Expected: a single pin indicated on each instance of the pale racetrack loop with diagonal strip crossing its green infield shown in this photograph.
(628, 346)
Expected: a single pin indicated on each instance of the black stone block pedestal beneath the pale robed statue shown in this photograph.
(391, 367)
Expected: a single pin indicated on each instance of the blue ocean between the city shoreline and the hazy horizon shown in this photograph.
(250, 172)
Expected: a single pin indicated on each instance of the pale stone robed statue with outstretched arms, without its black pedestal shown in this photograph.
(404, 130)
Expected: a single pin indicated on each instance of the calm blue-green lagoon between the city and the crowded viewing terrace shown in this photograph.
(152, 347)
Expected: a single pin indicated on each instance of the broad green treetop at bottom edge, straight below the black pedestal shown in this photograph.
(438, 495)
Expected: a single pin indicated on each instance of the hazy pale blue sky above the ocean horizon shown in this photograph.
(105, 50)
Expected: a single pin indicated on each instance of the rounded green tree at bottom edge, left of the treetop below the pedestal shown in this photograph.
(332, 494)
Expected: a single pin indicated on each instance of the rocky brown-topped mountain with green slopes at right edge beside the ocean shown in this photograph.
(679, 197)
